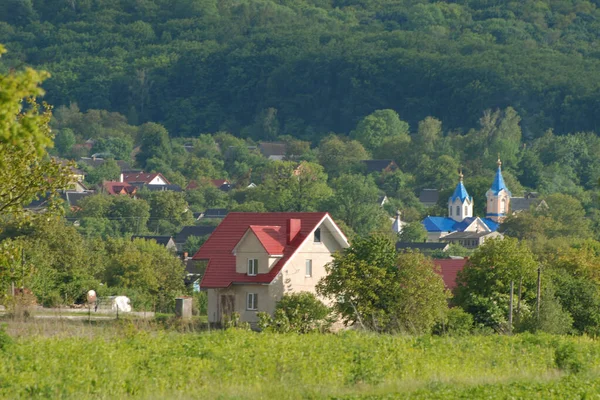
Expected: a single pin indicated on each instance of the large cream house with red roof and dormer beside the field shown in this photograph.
(253, 259)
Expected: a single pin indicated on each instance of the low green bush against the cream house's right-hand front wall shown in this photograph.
(297, 312)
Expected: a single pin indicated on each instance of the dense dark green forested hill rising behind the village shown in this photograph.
(308, 67)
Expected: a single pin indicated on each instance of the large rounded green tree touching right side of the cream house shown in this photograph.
(378, 290)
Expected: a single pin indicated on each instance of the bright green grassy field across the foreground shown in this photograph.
(79, 360)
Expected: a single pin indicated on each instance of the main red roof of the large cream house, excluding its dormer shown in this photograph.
(220, 271)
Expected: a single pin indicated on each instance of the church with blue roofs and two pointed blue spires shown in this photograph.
(460, 226)
